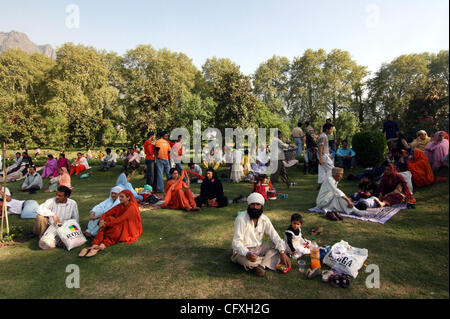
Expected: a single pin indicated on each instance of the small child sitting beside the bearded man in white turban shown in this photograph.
(296, 244)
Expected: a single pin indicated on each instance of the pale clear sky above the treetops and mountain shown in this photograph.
(247, 31)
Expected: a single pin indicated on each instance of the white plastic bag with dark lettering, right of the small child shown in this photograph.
(345, 258)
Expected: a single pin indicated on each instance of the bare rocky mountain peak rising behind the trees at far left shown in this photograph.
(17, 40)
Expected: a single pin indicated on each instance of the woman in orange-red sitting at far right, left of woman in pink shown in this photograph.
(418, 164)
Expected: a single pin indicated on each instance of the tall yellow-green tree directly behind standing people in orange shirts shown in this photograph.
(156, 84)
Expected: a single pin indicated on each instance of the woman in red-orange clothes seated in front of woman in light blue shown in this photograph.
(121, 223)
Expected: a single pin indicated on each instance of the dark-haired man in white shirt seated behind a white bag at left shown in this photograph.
(56, 211)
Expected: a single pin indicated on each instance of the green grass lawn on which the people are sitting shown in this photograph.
(187, 254)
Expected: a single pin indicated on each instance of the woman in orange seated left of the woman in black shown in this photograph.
(175, 196)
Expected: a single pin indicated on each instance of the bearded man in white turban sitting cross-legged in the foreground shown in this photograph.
(248, 248)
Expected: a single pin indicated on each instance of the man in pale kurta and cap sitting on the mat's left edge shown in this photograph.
(331, 198)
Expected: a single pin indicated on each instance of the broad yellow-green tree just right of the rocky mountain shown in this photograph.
(79, 94)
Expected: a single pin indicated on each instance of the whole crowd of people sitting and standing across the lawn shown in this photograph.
(117, 218)
